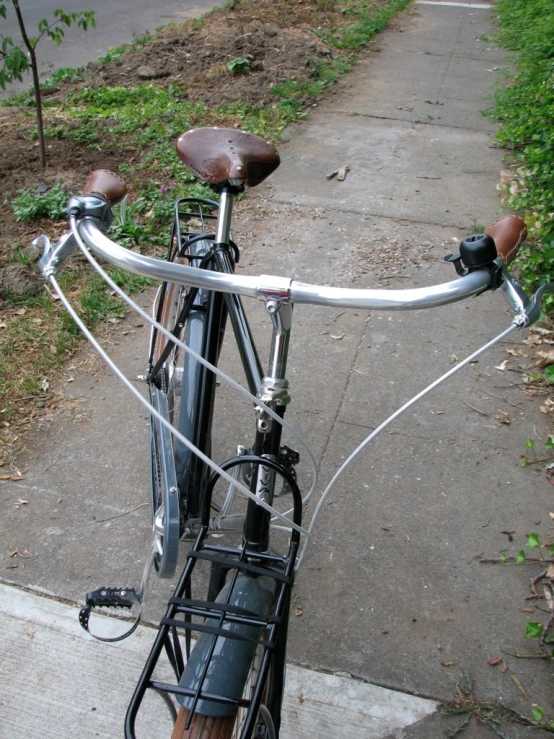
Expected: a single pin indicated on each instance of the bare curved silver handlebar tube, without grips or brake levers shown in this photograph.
(268, 286)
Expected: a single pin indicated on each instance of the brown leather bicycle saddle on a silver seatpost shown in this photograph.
(219, 155)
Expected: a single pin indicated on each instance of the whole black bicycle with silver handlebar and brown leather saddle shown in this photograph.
(231, 681)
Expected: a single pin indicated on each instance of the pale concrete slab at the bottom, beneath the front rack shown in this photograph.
(56, 678)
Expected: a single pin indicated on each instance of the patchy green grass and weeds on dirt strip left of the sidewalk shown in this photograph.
(38, 337)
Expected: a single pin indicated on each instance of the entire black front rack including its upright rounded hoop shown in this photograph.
(265, 633)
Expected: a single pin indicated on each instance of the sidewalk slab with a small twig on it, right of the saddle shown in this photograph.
(398, 170)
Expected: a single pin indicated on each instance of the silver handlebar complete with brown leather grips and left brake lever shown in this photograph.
(90, 216)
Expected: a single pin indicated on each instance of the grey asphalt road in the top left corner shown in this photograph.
(116, 23)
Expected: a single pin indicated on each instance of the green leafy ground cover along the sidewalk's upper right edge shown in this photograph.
(525, 108)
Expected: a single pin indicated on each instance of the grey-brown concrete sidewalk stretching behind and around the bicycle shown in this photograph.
(391, 591)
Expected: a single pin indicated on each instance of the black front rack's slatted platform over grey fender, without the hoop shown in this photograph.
(245, 631)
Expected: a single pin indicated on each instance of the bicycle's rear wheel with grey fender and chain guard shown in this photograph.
(182, 391)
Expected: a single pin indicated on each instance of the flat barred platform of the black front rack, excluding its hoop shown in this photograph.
(185, 616)
